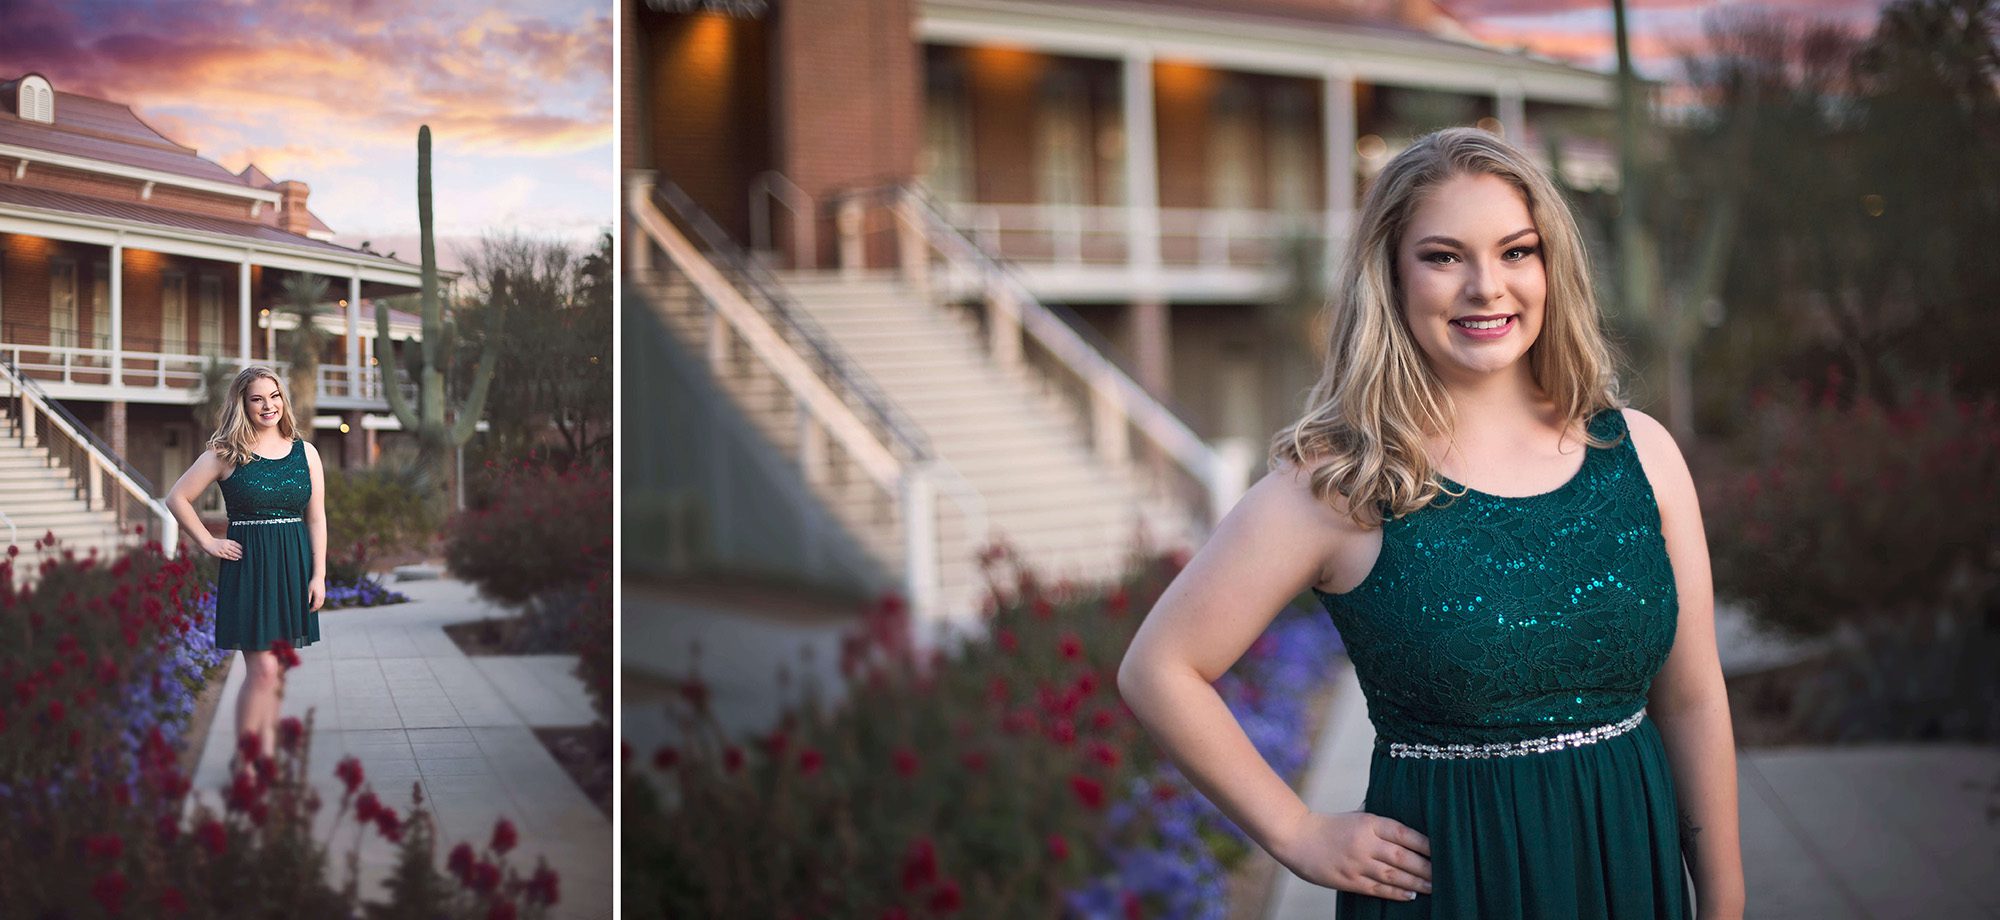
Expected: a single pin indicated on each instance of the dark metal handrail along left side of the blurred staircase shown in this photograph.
(765, 291)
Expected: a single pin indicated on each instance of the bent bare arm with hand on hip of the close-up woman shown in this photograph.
(1271, 547)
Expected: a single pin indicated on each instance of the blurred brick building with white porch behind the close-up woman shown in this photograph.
(1141, 163)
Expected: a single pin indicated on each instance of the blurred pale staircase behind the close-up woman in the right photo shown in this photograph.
(1041, 487)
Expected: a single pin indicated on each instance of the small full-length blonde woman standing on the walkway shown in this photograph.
(273, 575)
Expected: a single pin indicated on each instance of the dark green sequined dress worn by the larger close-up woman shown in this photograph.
(1505, 647)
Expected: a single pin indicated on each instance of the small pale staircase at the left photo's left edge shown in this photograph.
(39, 499)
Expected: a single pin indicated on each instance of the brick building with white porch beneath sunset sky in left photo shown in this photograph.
(129, 265)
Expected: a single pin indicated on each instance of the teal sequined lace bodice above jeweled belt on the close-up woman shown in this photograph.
(1495, 619)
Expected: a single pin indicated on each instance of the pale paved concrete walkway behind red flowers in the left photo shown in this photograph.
(391, 689)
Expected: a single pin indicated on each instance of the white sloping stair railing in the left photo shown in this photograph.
(103, 479)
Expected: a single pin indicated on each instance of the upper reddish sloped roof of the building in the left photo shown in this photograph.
(105, 131)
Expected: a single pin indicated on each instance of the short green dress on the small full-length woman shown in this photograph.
(263, 597)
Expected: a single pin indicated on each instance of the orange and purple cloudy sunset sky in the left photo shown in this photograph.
(517, 93)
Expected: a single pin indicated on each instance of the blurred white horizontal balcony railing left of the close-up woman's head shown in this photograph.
(1079, 235)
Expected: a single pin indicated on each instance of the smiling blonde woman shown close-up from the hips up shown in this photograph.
(1515, 563)
